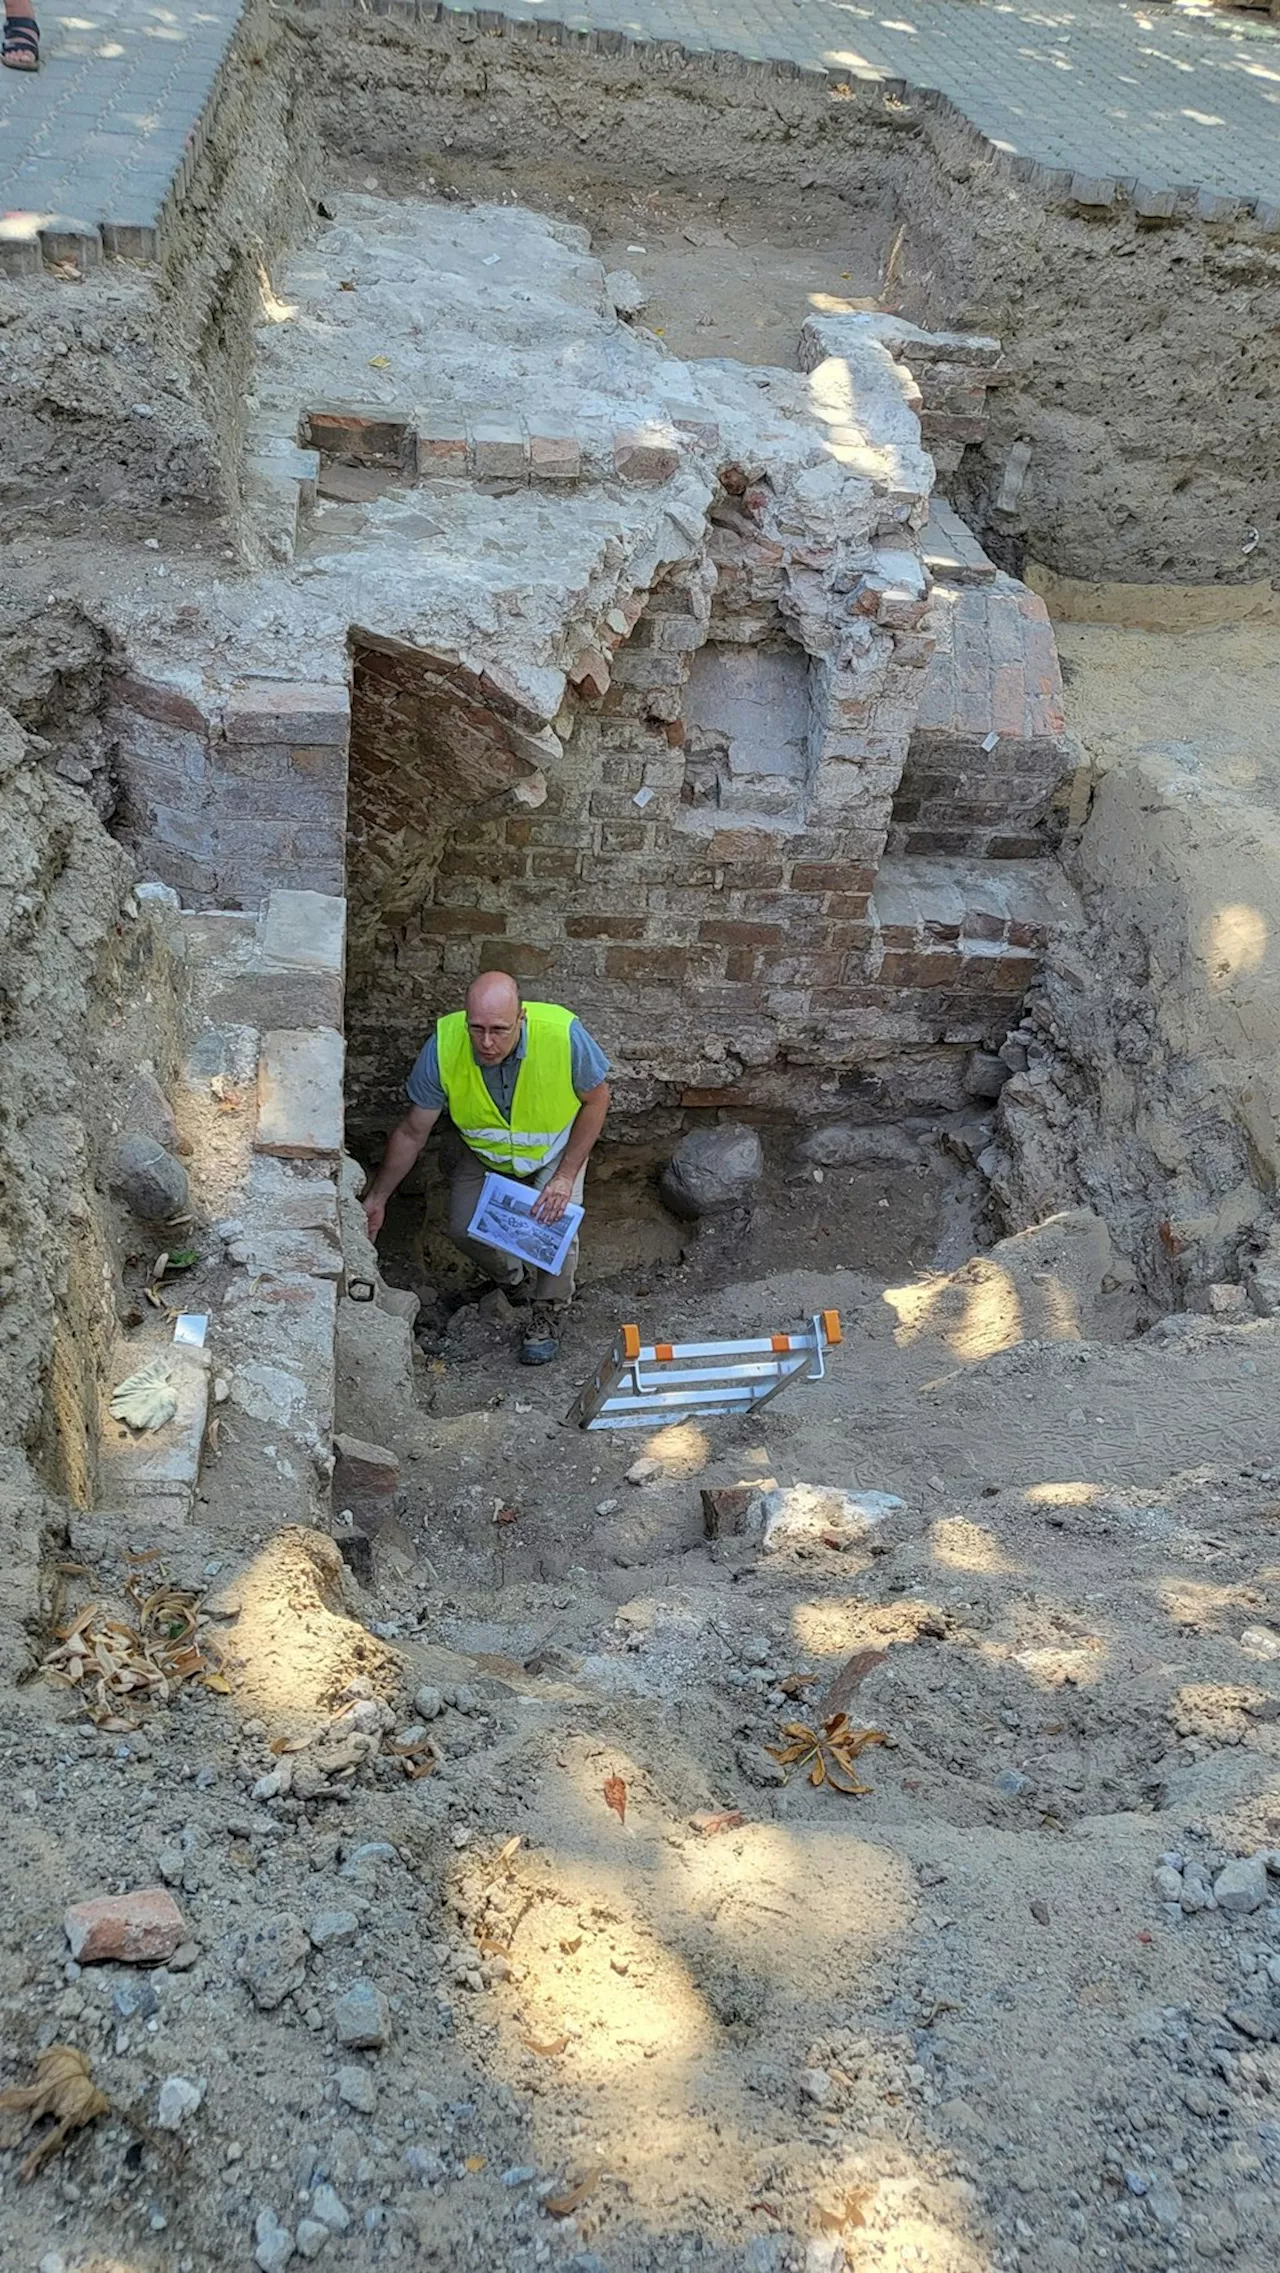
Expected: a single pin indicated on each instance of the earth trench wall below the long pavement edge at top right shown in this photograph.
(1145, 358)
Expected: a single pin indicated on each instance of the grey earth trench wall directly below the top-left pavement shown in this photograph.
(122, 392)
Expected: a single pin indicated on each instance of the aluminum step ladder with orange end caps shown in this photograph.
(649, 1385)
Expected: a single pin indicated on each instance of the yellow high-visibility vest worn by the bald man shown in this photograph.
(545, 1106)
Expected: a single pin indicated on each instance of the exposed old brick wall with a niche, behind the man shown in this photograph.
(710, 951)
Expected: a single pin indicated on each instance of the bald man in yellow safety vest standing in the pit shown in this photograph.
(526, 1090)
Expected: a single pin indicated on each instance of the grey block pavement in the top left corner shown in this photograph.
(101, 131)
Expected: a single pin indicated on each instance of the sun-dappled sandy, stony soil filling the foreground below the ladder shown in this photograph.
(940, 2026)
